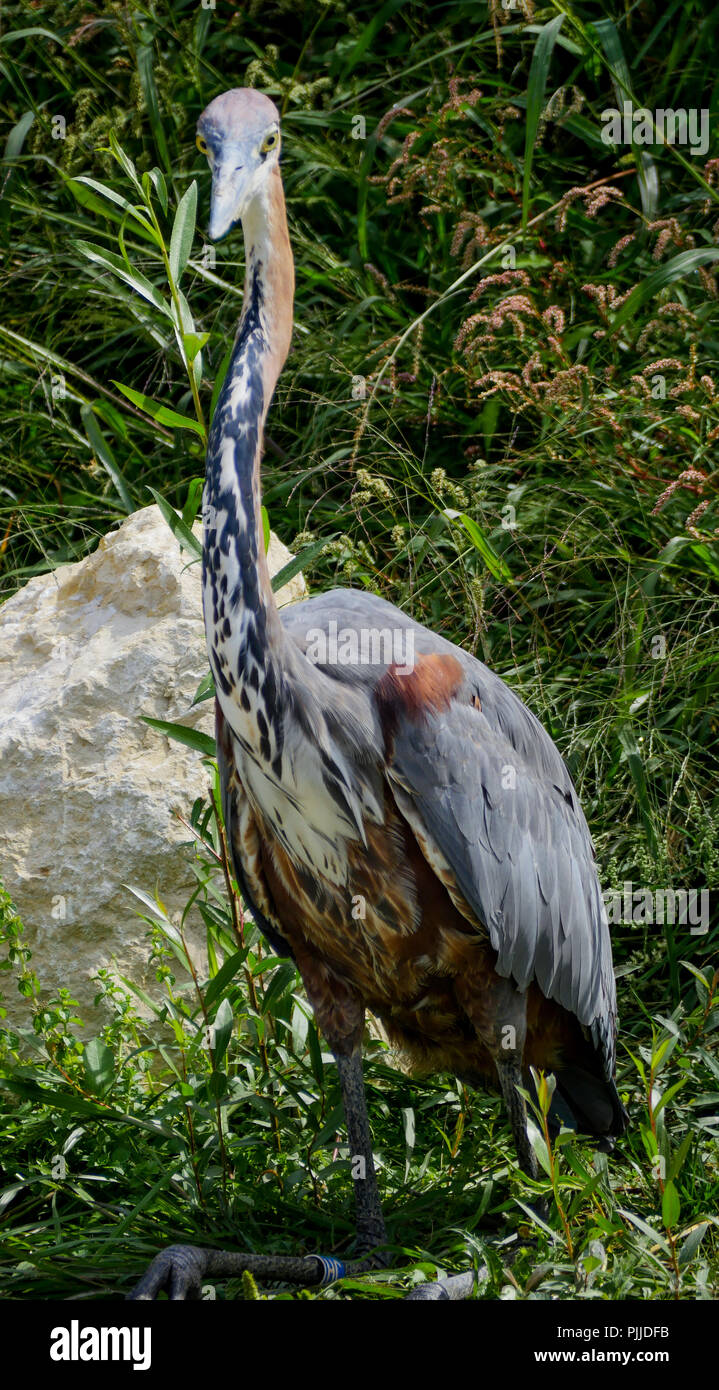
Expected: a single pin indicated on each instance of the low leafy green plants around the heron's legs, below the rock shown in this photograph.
(215, 1115)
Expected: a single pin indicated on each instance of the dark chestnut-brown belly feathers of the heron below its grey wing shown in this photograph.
(396, 940)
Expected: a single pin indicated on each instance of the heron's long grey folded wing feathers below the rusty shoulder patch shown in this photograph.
(508, 836)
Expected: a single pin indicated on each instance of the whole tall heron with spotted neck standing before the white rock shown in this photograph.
(405, 831)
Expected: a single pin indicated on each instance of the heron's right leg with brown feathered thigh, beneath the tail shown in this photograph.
(499, 1013)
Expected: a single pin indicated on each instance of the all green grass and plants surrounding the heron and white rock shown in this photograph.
(500, 412)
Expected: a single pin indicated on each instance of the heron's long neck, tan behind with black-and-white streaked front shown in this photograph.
(241, 619)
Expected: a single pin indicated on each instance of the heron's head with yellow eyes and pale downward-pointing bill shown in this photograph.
(240, 134)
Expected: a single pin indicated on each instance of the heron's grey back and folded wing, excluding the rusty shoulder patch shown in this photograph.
(499, 804)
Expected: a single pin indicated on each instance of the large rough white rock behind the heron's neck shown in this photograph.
(88, 792)
